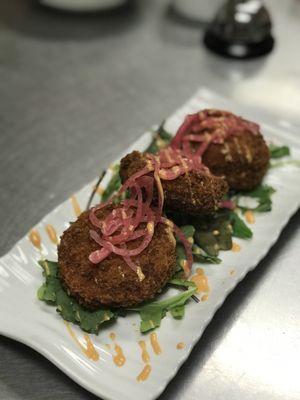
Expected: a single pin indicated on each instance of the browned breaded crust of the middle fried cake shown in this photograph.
(191, 193)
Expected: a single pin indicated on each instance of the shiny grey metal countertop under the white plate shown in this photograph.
(73, 95)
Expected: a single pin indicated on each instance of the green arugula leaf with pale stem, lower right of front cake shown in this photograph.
(152, 313)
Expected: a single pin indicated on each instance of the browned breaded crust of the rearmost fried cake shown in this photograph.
(242, 159)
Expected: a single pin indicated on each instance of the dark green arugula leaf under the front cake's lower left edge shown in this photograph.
(52, 292)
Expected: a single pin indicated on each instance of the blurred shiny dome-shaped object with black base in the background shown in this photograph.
(240, 29)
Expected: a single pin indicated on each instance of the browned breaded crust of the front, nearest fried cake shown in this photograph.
(112, 282)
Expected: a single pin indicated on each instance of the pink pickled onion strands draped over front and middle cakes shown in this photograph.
(136, 218)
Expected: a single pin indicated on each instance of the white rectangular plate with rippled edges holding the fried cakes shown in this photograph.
(32, 322)
